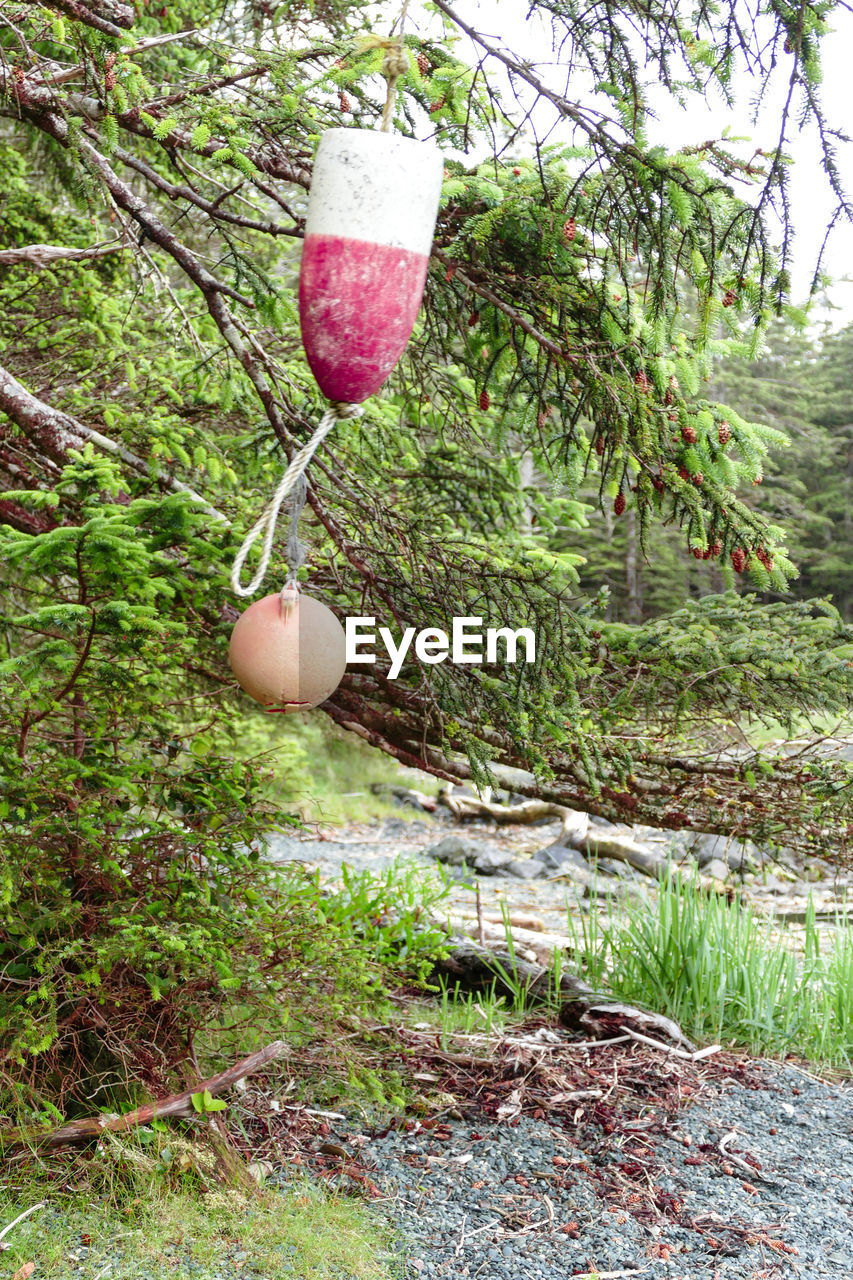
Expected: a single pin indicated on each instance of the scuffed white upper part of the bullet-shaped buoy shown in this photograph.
(377, 188)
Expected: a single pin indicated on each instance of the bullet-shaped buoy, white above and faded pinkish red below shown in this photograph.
(368, 236)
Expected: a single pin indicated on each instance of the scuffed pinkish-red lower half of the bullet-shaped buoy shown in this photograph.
(358, 308)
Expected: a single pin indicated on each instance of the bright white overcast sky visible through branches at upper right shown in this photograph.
(811, 200)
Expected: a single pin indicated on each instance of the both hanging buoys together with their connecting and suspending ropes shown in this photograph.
(368, 237)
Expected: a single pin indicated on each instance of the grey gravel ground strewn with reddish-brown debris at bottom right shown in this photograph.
(752, 1182)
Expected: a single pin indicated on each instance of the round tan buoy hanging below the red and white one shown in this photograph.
(289, 652)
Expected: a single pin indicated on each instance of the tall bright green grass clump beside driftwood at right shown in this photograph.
(726, 973)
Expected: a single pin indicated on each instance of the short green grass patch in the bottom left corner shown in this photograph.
(148, 1232)
